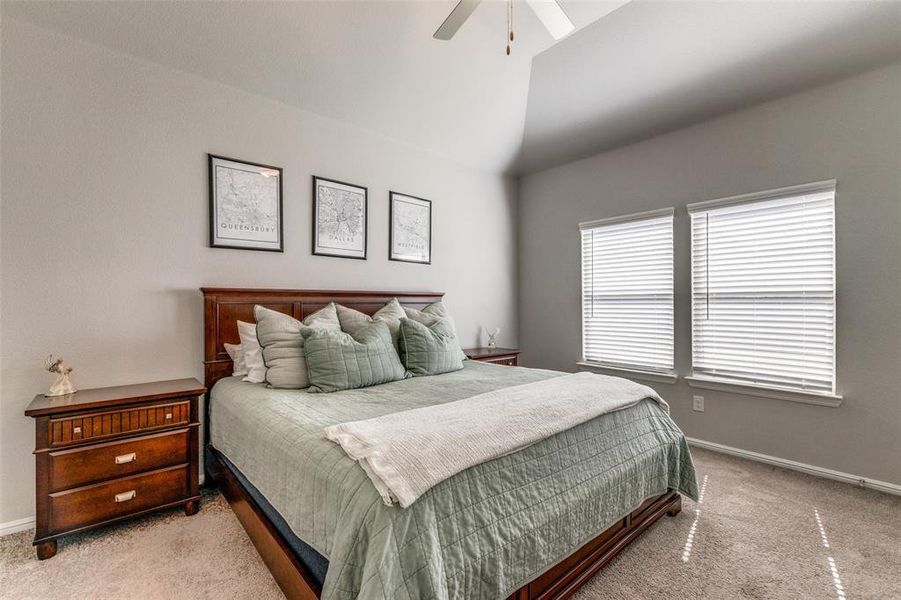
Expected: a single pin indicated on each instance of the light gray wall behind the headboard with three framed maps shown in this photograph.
(104, 222)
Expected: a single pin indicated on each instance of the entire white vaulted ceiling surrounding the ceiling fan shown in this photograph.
(645, 68)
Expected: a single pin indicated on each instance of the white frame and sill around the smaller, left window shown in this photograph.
(634, 371)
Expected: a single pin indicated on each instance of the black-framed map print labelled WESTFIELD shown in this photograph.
(410, 229)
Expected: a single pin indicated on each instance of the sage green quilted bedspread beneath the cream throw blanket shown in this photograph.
(480, 534)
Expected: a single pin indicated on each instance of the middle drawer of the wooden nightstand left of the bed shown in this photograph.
(86, 464)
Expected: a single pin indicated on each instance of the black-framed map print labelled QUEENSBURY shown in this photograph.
(245, 205)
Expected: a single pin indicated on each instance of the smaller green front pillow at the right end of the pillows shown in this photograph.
(429, 349)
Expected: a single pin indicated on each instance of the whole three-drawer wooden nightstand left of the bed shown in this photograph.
(107, 454)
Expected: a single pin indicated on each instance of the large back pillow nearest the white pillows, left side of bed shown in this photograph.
(282, 343)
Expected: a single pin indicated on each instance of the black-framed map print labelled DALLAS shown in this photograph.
(340, 217)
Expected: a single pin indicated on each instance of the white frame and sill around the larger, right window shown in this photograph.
(700, 379)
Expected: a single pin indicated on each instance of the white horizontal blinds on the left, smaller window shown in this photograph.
(627, 291)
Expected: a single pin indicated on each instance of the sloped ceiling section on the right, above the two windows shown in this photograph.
(651, 67)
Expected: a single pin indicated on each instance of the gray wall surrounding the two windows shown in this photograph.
(850, 131)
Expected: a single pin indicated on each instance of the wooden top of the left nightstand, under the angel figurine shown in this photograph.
(114, 396)
